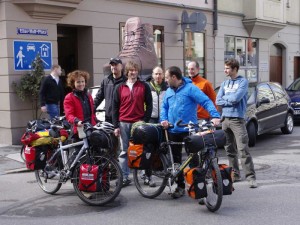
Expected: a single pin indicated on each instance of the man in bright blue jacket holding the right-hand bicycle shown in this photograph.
(180, 103)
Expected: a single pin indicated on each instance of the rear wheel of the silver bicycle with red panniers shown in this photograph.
(49, 180)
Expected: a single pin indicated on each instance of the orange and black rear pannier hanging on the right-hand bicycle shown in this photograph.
(139, 156)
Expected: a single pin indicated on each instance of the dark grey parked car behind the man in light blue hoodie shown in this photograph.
(268, 108)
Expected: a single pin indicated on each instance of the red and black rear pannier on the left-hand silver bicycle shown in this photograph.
(36, 157)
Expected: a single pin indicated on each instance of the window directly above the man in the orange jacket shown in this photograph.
(194, 50)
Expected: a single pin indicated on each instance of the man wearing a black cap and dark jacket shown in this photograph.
(107, 87)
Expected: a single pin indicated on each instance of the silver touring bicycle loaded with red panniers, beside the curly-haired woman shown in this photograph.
(94, 172)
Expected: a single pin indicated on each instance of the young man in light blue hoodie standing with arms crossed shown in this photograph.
(232, 97)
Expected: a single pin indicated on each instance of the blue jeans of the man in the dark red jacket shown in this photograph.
(125, 129)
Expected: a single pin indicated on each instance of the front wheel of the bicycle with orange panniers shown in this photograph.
(214, 187)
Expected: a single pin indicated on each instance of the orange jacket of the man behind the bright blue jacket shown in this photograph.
(207, 88)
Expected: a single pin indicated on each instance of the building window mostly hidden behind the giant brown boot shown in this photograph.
(158, 34)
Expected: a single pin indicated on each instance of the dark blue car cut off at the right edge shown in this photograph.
(294, 92)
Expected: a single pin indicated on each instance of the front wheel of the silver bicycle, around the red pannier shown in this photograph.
(109, 190)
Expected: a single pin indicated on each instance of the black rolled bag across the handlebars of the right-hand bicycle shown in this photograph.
(195, 143)
